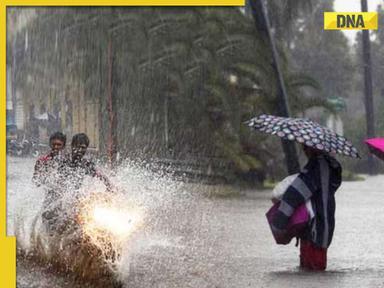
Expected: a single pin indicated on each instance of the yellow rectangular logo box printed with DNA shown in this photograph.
(350, 20)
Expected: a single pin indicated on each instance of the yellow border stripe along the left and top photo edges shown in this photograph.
(8, 244)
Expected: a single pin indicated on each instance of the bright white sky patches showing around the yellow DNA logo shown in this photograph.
(354, 6)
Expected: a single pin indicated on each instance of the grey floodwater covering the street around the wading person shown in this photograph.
(199, 242)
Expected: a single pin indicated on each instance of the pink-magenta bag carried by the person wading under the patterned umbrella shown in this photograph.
(297, 223)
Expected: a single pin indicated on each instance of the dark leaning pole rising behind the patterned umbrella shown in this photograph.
(260, 16)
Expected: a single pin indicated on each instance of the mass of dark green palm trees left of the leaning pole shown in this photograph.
(183, 81)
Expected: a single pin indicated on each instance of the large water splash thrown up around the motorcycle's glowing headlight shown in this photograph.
(151, 212)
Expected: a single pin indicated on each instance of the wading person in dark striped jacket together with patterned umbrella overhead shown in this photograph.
(317, 182)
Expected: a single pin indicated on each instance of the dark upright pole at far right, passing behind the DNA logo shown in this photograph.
(368, 94)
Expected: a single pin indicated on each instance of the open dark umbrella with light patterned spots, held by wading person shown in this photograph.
(304, 131)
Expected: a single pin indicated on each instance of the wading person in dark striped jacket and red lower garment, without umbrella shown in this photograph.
(317, 182)
